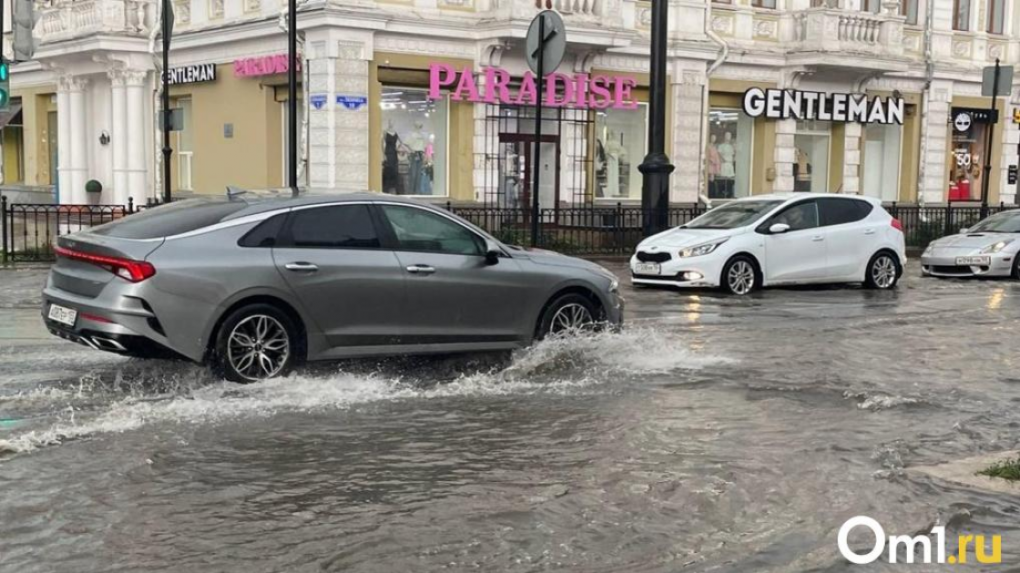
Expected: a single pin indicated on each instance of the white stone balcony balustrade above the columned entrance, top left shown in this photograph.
(67, 20)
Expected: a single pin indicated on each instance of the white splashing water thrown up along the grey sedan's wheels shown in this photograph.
(156, 394)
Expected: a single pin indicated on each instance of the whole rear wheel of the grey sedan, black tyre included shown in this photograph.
(256, 343)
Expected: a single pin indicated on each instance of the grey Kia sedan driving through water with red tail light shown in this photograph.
(254, 286)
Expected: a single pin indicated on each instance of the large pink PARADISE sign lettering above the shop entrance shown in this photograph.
(581, 90)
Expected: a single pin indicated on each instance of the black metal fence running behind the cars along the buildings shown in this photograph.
(29, 232)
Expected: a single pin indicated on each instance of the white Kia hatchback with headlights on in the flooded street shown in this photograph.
(770, 240)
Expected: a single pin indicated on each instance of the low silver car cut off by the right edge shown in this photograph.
(988, 249)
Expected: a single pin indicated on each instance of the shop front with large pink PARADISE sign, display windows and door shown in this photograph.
(447, 130)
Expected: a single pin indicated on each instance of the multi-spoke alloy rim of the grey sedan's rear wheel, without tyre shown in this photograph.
(259, 347)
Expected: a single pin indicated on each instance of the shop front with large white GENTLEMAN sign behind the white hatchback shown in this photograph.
(837, 142)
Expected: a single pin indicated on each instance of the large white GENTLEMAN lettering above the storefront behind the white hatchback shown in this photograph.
(794, 105)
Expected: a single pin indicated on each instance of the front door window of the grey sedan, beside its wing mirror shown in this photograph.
(420, 230)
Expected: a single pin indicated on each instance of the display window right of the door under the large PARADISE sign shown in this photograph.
(620, 149)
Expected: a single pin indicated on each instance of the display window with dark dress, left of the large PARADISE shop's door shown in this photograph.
(415, 142)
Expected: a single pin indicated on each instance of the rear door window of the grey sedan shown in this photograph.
(335, 227)
